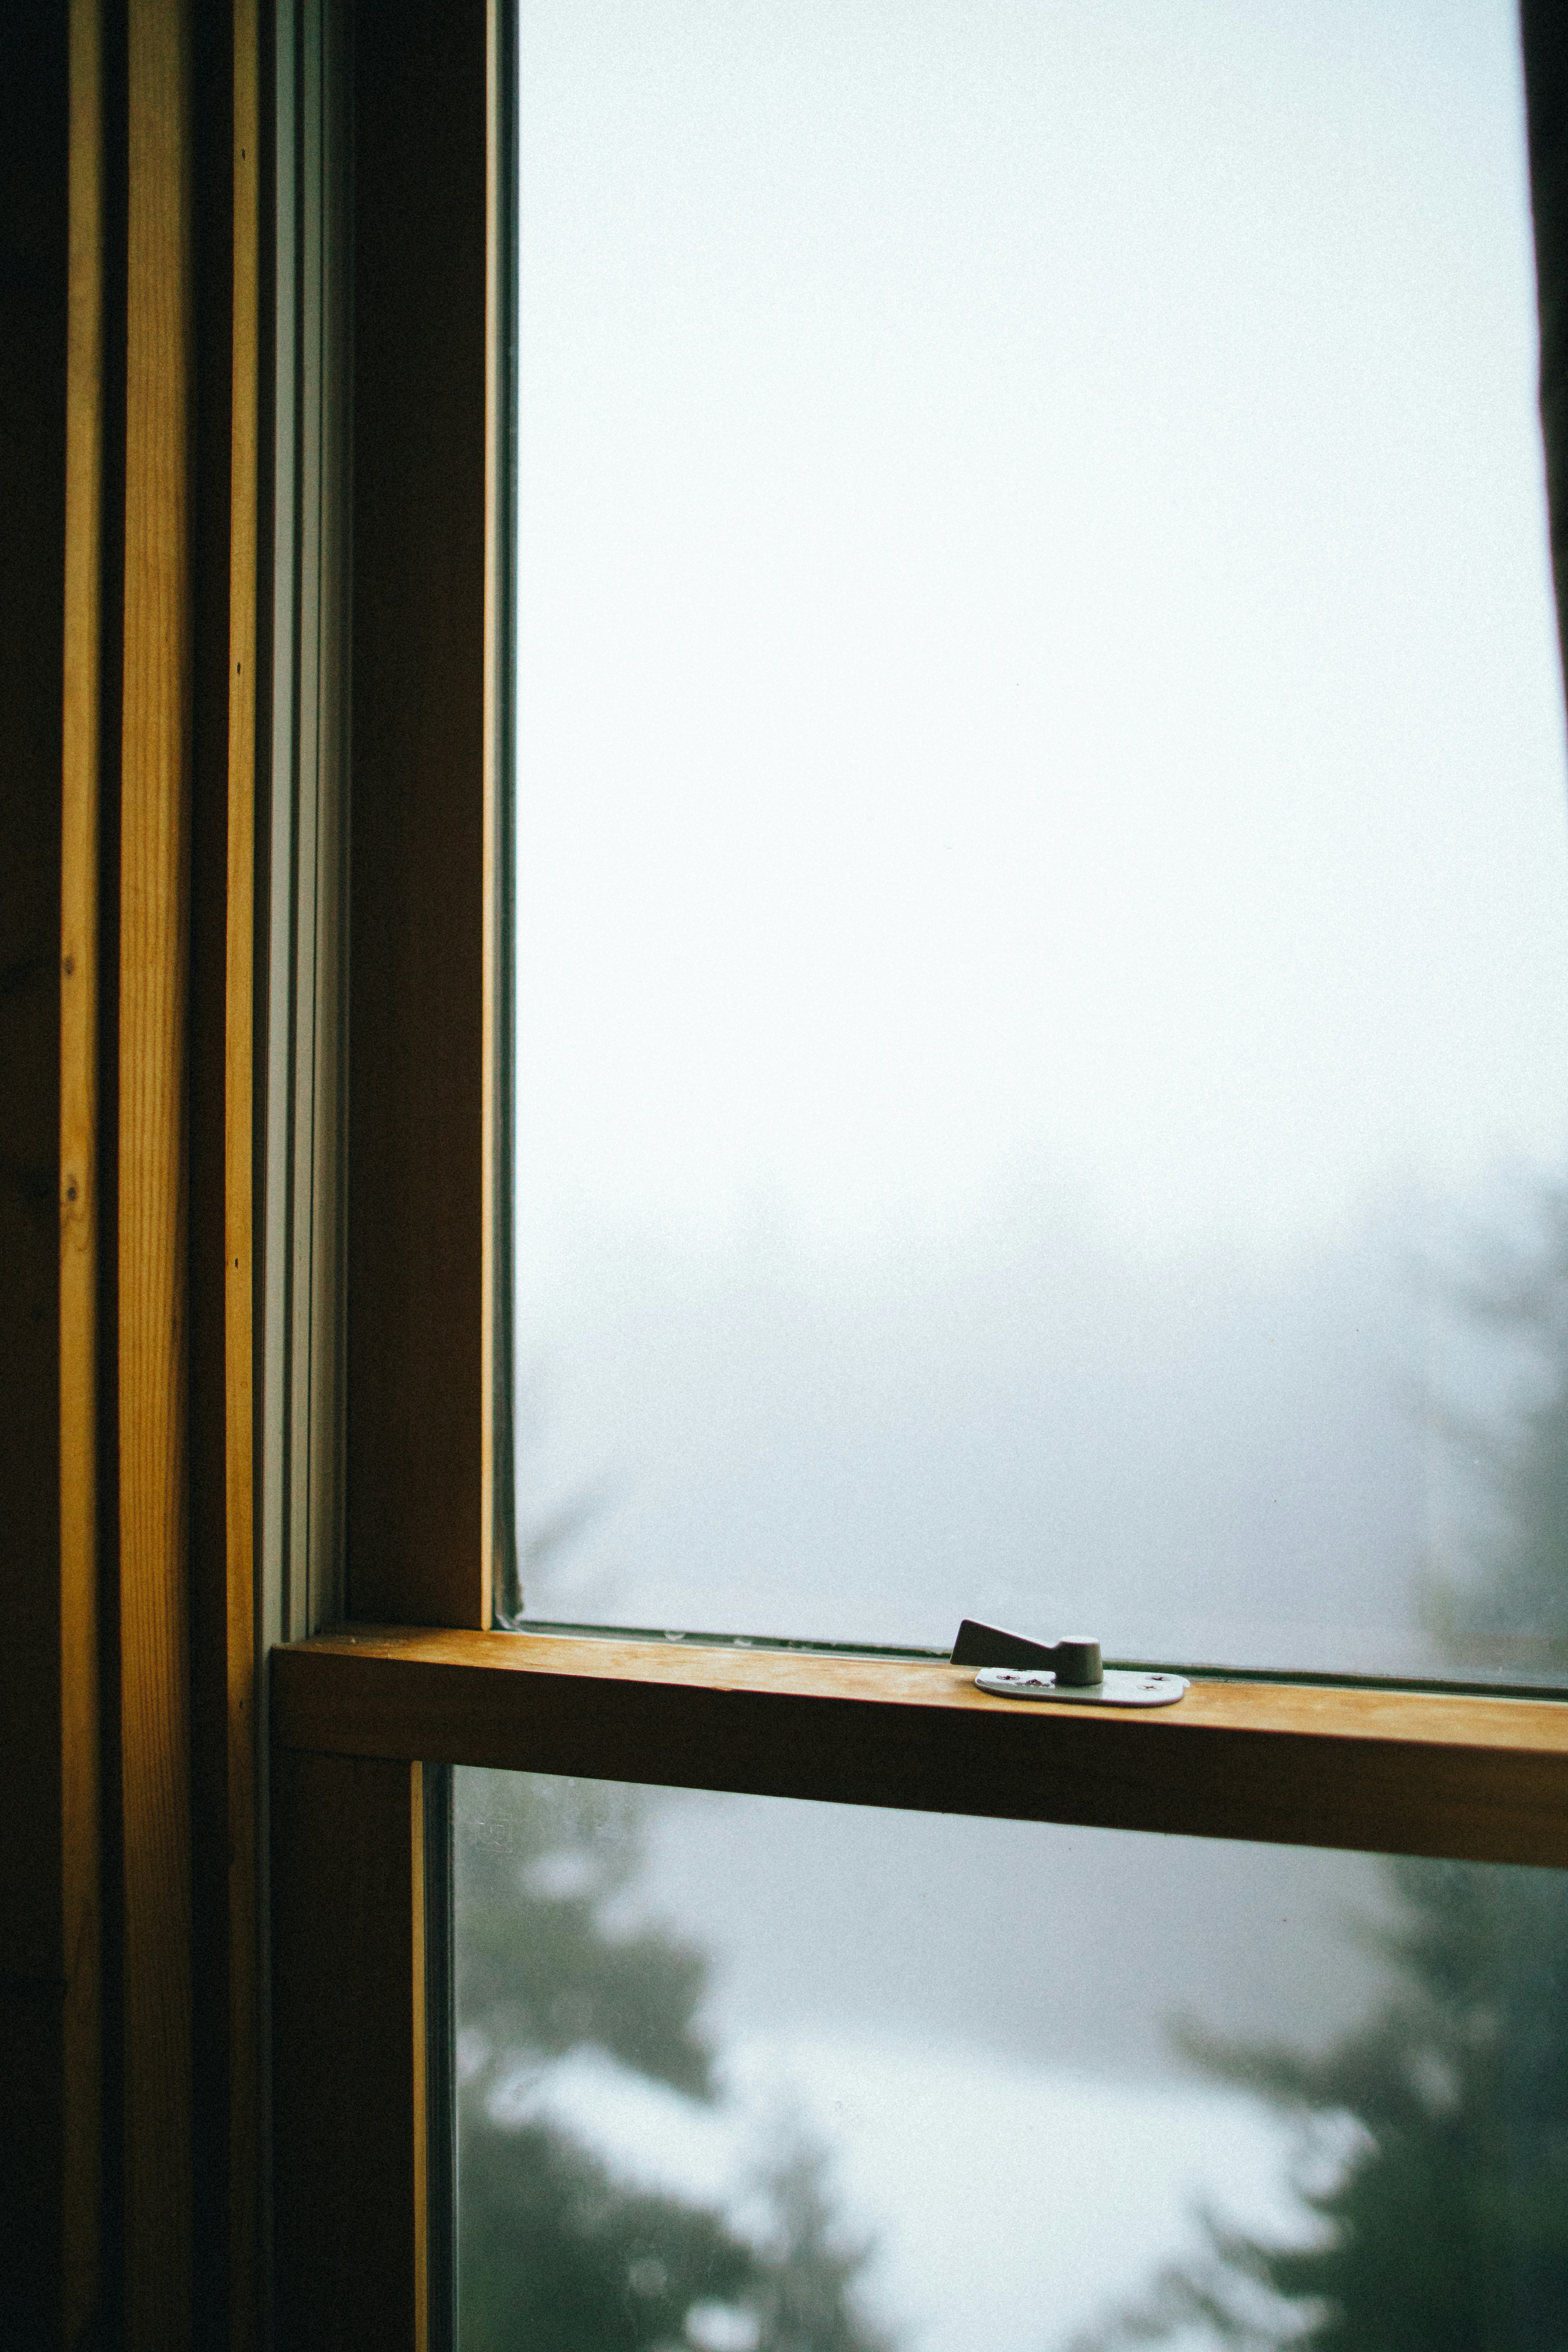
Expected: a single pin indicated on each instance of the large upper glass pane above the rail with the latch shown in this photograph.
(1043, 857)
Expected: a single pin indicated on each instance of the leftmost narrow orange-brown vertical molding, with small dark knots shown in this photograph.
(79, 1203)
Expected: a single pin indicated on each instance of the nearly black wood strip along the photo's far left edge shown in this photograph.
(34, 1866)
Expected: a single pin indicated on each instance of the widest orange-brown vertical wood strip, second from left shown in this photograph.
(154, 963)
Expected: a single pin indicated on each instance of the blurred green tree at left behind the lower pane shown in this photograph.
(556, 2252)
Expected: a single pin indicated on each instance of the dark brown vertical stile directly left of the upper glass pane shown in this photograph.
(417, 829)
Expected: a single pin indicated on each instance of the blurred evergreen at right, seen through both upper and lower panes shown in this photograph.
(1435, 2139)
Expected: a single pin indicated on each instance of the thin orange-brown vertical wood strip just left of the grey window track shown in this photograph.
(239, 1191)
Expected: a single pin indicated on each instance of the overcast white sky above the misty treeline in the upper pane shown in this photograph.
(1036, 617)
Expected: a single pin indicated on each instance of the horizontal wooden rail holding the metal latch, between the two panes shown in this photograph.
(1381, 1772)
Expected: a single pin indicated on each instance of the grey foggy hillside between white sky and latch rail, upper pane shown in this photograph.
(1191, 1459)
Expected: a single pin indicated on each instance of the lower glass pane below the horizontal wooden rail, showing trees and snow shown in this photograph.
(758, 2076)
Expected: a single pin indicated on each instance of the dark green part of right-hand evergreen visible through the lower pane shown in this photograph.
(1433, 2149)
